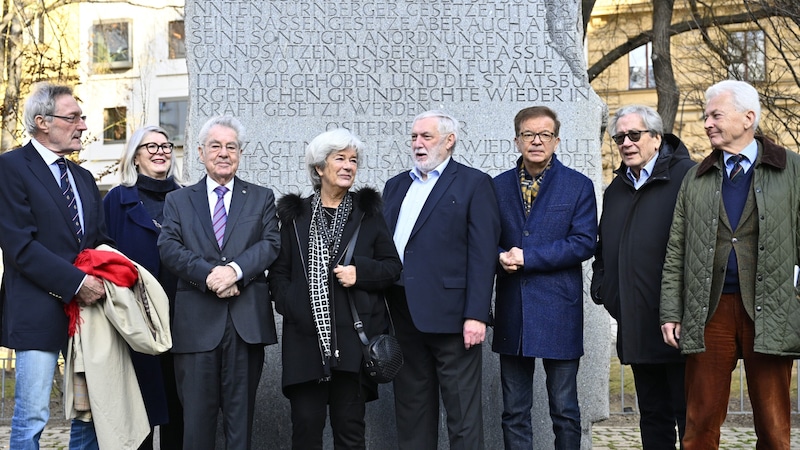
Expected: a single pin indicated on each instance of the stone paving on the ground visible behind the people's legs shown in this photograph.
(603, 438)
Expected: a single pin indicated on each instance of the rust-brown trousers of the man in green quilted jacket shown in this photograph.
(729, 335)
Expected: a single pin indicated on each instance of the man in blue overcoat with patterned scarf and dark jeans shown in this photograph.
(548, 216)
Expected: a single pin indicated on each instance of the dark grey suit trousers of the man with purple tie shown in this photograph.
(226, 377)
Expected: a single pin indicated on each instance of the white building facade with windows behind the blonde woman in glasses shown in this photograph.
(132, 74)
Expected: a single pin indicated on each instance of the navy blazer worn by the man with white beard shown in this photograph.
(449, 261)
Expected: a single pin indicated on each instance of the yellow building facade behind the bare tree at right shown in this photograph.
(724, 41)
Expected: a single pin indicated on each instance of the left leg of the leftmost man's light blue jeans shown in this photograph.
(34, 382)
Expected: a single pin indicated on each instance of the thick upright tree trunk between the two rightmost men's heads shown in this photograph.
(666, 87)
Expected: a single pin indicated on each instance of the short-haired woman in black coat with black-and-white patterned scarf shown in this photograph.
(312, 284)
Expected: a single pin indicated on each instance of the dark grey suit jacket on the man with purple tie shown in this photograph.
(189, 249)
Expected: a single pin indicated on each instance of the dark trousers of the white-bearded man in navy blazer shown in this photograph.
(434, 363)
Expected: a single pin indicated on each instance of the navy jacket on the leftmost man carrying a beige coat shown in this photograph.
(39, 247)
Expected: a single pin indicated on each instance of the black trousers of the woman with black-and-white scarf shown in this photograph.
(343, 396)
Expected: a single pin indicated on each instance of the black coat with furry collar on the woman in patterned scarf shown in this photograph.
(377, 267)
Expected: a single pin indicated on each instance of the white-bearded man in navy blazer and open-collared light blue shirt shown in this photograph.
(446, 227)
